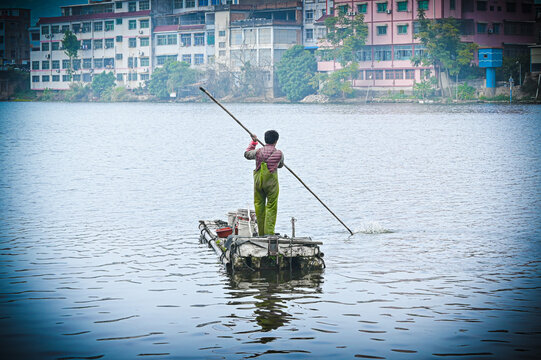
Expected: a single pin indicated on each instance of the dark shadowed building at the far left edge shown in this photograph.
(14, 41)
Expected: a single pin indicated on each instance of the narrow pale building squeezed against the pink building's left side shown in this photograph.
(314, 10)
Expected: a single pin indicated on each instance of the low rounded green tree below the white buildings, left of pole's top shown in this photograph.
(172, 77)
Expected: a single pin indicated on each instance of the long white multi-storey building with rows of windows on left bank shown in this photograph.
(115, 36)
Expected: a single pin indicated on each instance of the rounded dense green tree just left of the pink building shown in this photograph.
(295, 72)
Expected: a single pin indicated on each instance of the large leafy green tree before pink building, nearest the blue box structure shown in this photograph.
(443, 47)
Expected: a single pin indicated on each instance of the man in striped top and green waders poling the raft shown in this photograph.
(268, 159)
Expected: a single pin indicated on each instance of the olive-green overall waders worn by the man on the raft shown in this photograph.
(266, 191)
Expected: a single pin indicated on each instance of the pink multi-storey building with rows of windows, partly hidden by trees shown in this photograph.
(385, 59)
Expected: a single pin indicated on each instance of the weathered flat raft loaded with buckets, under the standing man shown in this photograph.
(243, 250)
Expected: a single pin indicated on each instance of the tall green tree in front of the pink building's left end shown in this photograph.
(347, 35)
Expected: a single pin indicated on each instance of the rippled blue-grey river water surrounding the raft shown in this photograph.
(99, 251)
